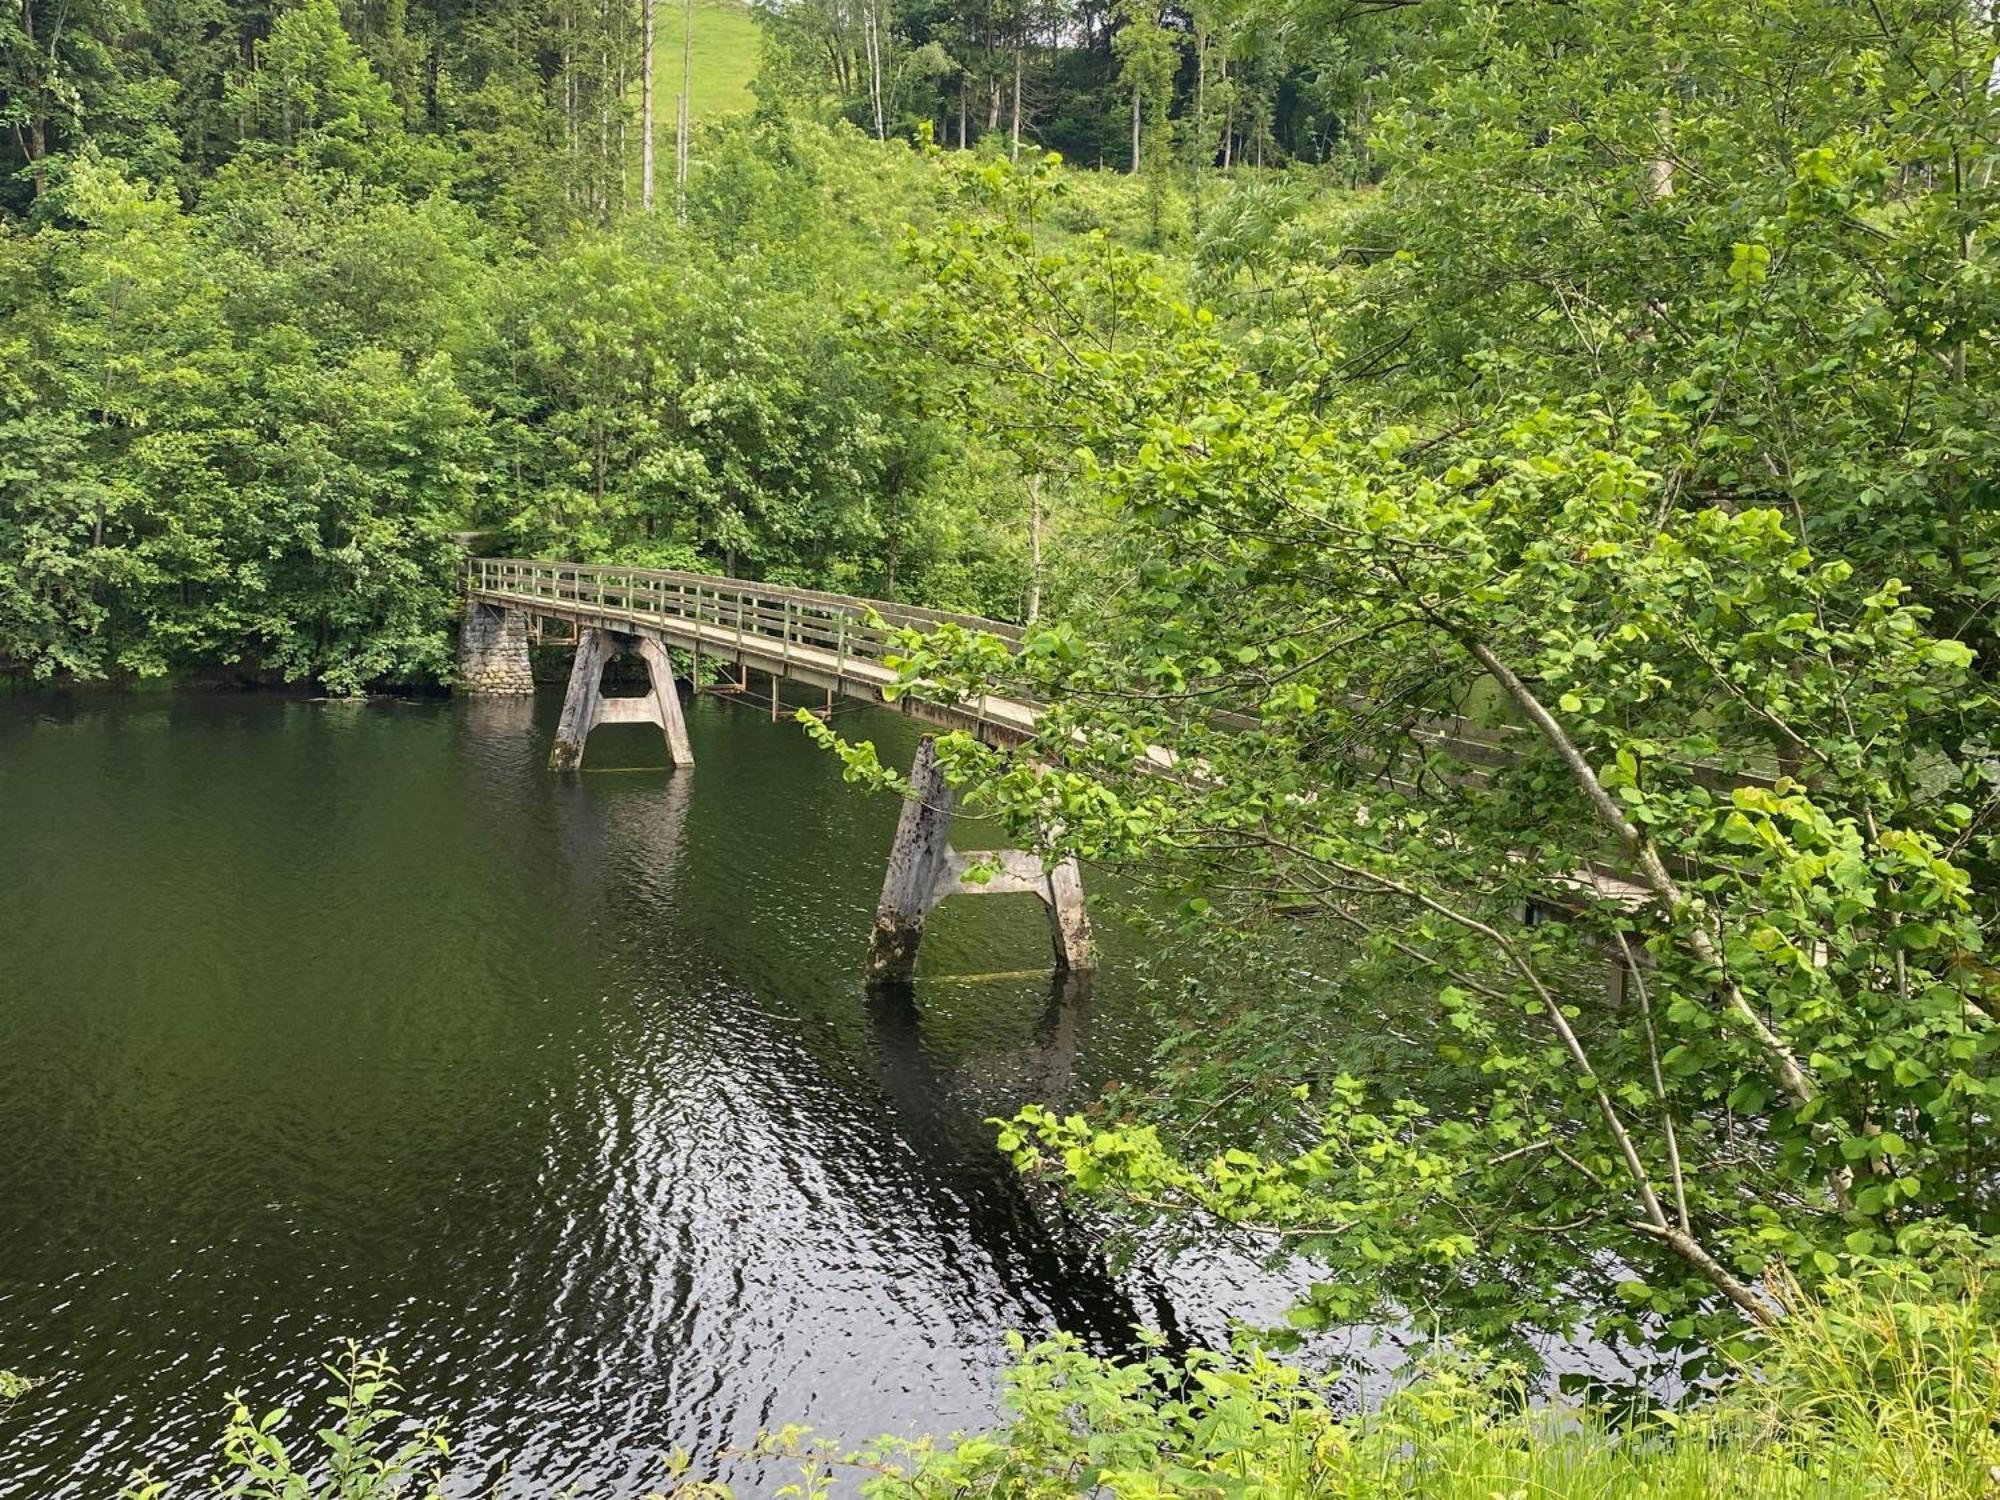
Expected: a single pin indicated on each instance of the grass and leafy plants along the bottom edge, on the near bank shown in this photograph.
(1873, 1393)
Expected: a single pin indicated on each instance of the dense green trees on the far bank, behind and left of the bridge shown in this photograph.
(267, 353)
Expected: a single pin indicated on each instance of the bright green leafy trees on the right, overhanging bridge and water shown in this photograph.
(1573, 561)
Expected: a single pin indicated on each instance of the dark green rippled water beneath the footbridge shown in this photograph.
(335, 1021)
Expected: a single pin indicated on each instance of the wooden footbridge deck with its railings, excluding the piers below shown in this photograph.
(799, 635)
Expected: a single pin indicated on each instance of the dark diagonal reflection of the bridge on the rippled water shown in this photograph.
(621, 847)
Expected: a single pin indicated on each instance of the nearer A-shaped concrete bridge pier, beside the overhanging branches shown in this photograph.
(925, 869)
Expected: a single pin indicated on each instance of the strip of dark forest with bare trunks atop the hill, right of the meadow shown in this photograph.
(1107, 85)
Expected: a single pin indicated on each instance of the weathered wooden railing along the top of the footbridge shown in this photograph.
(777, 615)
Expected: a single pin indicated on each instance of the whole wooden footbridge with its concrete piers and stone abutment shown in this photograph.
(833, 643)
